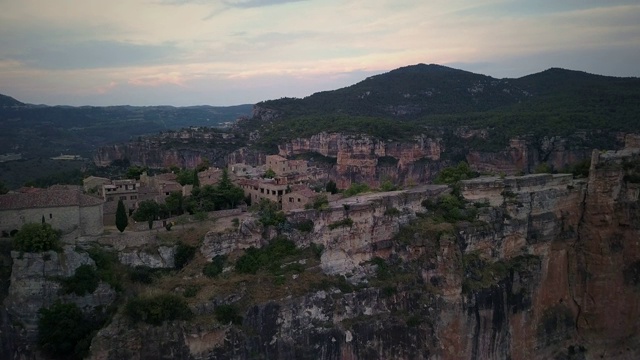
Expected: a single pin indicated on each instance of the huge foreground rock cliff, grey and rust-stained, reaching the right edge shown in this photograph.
(547, 270)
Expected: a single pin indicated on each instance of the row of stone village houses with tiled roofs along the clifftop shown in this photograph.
(84, 210)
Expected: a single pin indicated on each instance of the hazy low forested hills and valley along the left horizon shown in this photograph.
(43, 131)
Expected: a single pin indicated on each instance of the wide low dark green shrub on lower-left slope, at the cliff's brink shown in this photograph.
(157, 309)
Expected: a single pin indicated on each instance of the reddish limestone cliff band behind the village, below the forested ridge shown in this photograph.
(364, 159)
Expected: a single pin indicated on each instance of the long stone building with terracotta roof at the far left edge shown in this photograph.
(66, 210)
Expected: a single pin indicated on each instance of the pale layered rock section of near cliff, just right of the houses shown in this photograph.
(357, 229)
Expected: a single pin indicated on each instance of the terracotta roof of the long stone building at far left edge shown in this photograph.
(47, 198)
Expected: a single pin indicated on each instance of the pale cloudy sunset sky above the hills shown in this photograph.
(226, 52)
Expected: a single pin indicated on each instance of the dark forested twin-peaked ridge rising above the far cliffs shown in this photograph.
(421, 97)
